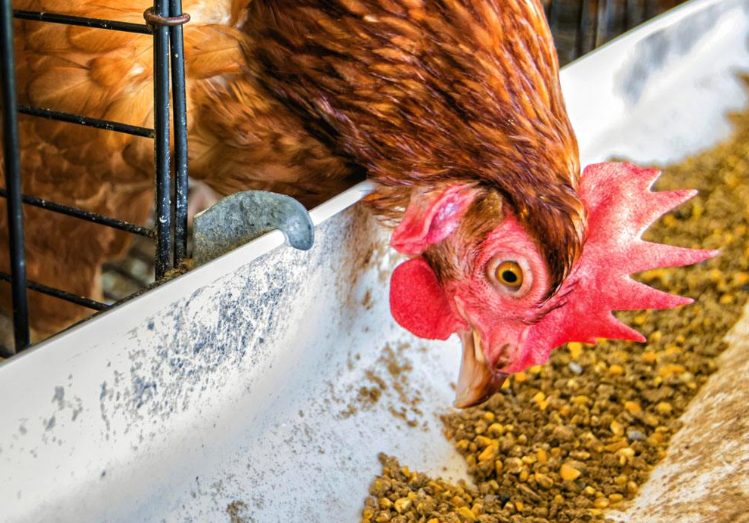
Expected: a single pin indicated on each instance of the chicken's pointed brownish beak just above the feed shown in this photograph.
(477, 380)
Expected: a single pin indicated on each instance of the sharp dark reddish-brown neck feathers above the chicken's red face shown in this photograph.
(430, 92)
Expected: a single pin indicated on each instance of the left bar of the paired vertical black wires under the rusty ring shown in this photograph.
(161, 125)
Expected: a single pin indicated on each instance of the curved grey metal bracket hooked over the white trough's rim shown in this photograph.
(242, 217)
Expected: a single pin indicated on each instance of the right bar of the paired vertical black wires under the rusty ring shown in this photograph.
(180, 135)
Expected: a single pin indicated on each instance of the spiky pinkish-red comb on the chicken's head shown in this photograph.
(620, 208)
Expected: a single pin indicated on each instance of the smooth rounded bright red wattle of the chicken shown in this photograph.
(418, 303)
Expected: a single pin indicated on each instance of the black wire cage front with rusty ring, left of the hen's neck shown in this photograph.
(164, 22)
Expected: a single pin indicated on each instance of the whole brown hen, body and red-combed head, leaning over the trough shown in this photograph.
(452, 106)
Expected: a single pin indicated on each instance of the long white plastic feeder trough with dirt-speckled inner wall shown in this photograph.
(235, 387)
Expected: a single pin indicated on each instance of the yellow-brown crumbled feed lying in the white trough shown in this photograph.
(573, 438)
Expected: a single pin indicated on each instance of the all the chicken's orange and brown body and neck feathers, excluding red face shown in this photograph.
(298, 97)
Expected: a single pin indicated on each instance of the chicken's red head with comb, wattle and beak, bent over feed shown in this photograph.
(484, 278)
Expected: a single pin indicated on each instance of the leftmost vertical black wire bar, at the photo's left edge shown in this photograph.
(11, 155)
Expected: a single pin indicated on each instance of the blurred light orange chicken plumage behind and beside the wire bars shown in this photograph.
(240, 137)
